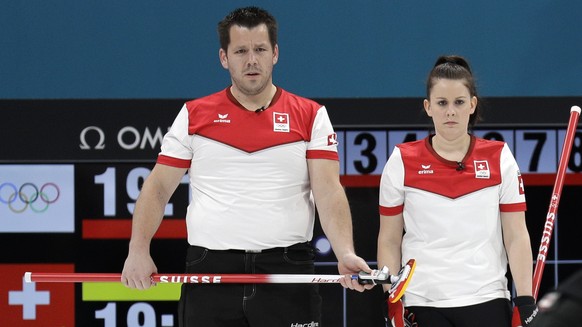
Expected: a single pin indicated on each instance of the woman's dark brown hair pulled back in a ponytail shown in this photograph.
(455, 68)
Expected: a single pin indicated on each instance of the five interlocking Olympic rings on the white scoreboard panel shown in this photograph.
(28, 195)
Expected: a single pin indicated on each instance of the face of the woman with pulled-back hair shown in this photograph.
(450, 105)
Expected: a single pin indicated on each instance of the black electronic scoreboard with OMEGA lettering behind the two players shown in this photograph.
(71, 171)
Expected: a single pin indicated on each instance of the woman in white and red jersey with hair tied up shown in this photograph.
(456, 204)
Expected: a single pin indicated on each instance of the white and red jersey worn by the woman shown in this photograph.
(452, 219)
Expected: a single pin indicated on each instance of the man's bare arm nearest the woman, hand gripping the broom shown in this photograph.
(335, 217)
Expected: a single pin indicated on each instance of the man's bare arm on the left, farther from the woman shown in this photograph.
(147, 217)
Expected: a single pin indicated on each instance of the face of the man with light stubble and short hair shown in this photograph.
(250, 59)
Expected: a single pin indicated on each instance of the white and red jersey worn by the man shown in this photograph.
(248, 170)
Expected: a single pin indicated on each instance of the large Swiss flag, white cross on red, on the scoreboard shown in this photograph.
(35, 304)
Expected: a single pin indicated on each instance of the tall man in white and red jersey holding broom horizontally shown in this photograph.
(258, 157)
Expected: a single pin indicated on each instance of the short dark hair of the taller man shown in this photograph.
(248, 17)
